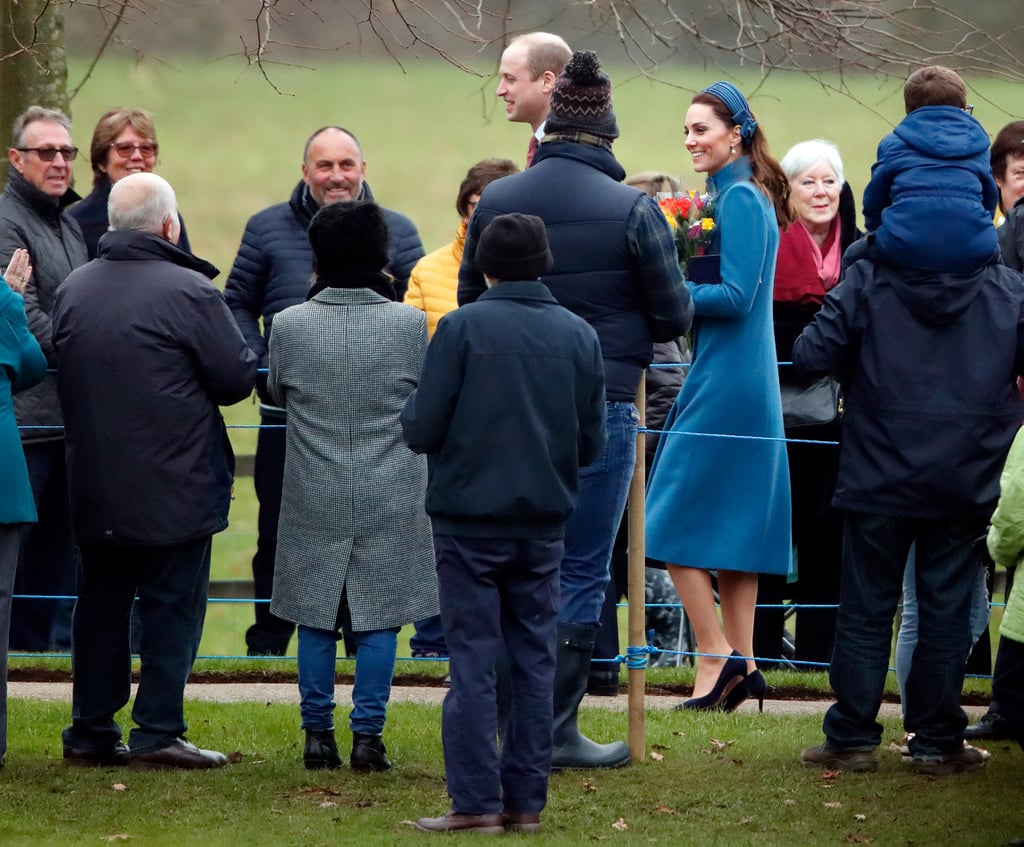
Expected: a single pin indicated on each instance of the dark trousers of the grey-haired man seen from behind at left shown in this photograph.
(173, 584)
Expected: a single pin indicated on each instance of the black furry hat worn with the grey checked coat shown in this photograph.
(349, 237)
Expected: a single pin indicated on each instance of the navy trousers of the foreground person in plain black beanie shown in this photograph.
(498, 596)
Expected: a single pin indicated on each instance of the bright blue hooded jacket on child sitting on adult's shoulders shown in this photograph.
(932, 196)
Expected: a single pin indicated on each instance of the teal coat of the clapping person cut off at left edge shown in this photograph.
(22, 366)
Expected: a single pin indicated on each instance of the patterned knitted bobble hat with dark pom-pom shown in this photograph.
(581, 101)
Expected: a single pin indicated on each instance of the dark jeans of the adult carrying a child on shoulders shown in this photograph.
(875, 554)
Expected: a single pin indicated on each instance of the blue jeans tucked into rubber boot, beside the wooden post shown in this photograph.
(605, 488)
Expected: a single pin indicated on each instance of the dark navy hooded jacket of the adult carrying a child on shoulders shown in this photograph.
(928, 365)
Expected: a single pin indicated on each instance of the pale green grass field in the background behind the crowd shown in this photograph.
(232, 145)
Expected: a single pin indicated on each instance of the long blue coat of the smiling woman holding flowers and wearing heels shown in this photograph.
(724, 503)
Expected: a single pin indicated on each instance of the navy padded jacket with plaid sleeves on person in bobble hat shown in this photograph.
(632, 294)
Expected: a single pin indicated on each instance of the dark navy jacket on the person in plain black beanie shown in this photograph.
(510, 404)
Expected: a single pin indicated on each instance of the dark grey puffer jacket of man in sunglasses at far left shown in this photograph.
(38, 223)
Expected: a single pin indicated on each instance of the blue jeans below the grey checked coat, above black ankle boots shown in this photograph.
(375, 652)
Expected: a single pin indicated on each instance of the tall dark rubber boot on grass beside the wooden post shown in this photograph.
(571, 750)
